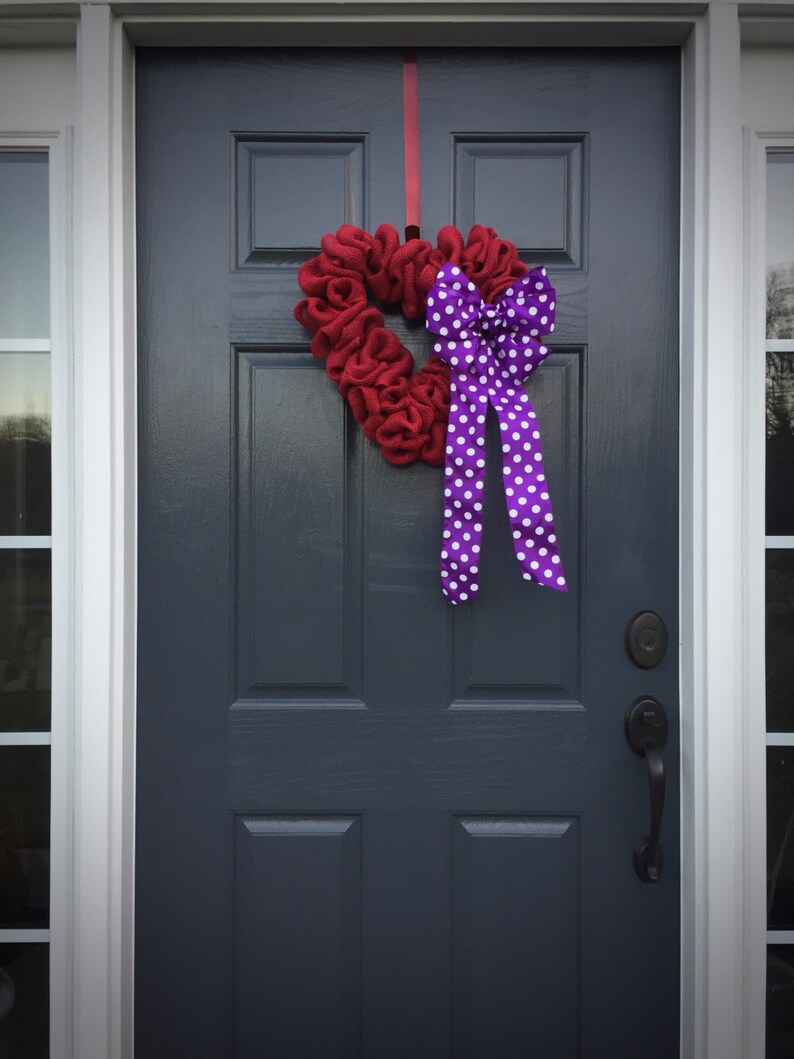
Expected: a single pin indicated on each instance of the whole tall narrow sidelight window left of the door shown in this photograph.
(26, 603)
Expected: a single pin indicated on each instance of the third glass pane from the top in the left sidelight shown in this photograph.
(26, 640)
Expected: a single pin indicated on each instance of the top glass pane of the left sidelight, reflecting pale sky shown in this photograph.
(25, 245)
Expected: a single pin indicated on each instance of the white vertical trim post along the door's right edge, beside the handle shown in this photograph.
(713, 605)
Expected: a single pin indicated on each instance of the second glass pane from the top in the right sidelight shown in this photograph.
(780, 443)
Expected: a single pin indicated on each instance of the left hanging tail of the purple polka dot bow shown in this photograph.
(464, 488)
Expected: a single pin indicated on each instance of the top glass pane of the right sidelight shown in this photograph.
(781, 245)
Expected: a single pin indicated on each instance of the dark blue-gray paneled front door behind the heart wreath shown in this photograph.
(370, 824)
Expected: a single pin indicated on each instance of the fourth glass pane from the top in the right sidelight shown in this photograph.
(781, 838)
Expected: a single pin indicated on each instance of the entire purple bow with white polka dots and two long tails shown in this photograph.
(492, 351)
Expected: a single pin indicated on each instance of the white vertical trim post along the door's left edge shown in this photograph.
(105, 539)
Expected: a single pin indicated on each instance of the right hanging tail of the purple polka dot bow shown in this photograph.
(527, 490)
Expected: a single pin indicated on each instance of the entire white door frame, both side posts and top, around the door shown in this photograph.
(723, 959)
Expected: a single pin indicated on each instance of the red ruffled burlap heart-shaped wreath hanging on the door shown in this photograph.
(404, 411)
